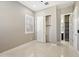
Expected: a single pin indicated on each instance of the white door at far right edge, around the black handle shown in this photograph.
(76, 25)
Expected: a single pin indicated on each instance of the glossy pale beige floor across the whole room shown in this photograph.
(38, 49)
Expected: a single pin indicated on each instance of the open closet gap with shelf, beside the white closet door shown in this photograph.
(48, 27)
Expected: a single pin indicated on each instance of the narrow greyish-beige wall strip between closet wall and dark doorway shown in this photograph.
(58, 24)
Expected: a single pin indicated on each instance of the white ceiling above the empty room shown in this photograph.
(38, 5)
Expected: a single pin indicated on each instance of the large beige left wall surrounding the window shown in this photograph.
(12, 25)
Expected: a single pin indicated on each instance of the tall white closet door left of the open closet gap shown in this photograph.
(41, 29)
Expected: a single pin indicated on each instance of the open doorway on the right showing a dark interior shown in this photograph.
(65, 27)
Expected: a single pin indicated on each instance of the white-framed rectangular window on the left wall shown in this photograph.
(29, 24)
